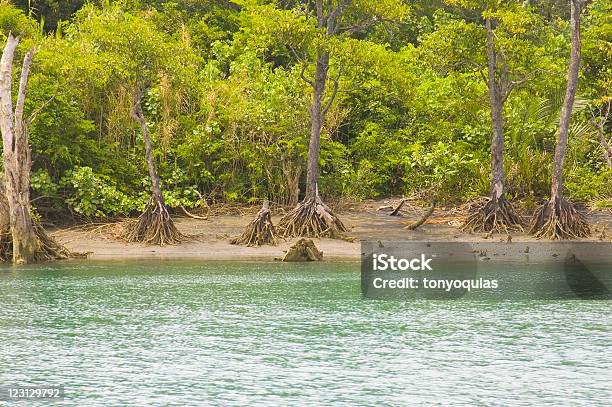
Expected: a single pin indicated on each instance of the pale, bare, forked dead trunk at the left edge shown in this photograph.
(16, 155)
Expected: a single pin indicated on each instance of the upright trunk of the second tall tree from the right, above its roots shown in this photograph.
(495, 98)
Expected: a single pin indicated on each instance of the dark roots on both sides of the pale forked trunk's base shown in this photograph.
(48, 248)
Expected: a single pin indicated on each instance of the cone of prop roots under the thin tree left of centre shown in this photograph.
(154, 226)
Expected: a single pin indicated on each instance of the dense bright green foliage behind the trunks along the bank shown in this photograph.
(228, 109)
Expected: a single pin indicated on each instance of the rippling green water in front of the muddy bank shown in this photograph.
(241, 334)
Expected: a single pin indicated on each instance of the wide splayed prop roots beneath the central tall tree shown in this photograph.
(312, 218)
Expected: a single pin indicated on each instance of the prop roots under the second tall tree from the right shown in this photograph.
(492, 215)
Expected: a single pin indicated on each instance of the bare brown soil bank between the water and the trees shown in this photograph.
(364, 222)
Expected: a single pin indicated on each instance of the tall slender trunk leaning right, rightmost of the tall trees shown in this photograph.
(568, 102)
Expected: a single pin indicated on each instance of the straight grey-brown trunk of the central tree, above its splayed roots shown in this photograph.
(317, 117)
